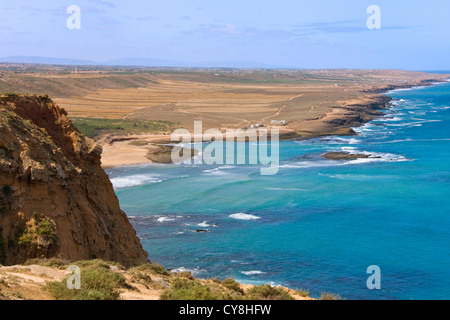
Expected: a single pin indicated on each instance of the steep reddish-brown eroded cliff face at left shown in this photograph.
(55, 199)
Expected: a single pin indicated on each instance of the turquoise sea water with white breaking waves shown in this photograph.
(318, 224)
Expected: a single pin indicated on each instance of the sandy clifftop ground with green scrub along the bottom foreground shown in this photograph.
(105, 280)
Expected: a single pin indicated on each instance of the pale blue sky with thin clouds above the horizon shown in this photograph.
(414, 35)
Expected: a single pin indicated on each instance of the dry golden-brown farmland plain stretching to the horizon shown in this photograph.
(220, 98)
